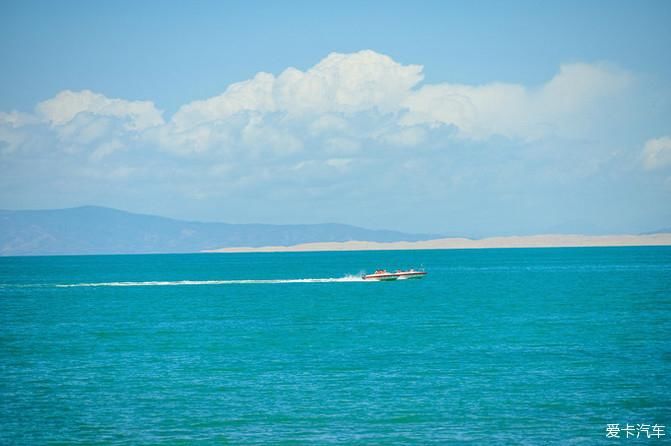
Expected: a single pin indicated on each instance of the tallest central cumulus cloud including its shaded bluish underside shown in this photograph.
(295, 105)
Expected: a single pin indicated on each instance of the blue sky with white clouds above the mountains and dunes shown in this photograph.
(457, 118)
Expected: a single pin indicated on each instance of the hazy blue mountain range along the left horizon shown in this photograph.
(99, 230)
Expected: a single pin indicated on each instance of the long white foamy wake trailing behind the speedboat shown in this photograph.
(215, 282)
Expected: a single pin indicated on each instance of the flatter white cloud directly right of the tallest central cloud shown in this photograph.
(513, 110)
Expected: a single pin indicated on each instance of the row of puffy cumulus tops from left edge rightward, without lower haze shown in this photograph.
(342, 104)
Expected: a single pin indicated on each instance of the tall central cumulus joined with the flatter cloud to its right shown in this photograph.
(343, 90)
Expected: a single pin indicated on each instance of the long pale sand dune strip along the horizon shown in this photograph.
(531, 241)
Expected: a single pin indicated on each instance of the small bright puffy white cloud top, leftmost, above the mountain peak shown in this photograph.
(66, 105)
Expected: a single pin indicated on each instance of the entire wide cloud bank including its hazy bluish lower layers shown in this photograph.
(349, 128)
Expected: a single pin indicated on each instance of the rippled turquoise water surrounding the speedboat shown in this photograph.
(509, 346)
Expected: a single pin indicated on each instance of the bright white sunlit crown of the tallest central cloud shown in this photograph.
(339, 84)
